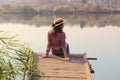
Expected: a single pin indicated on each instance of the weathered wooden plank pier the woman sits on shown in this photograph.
(56, 68)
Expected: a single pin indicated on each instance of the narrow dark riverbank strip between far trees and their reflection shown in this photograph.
(51, 12)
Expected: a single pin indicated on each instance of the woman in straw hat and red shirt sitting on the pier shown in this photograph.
(56, 40)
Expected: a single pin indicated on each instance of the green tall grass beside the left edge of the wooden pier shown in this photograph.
(16, 59)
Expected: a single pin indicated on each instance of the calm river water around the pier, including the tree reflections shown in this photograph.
(97, 35)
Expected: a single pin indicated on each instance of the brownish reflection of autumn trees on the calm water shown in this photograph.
(87, 20)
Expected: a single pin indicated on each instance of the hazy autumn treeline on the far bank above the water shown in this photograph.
(62, 6)
